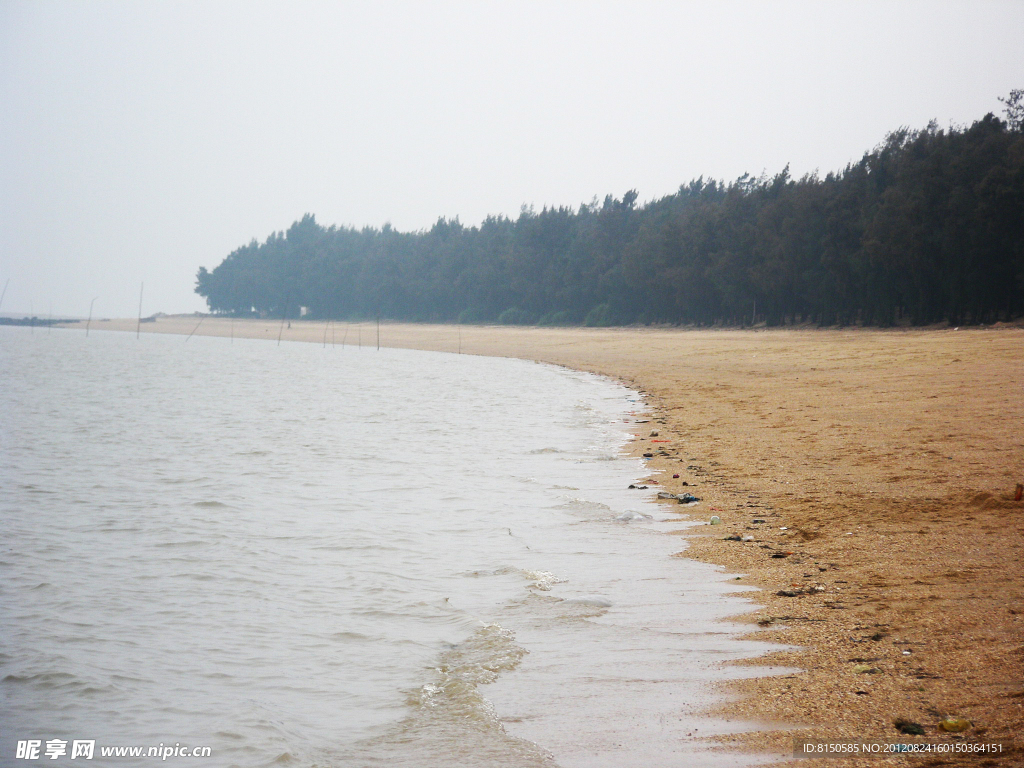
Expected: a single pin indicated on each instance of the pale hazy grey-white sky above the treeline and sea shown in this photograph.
(140, 141)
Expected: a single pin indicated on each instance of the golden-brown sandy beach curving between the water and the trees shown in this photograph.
(873, 475)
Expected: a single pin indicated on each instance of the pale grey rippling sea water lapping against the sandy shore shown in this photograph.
(313, 556)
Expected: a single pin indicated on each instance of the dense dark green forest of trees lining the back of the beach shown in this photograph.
(927, 228)
